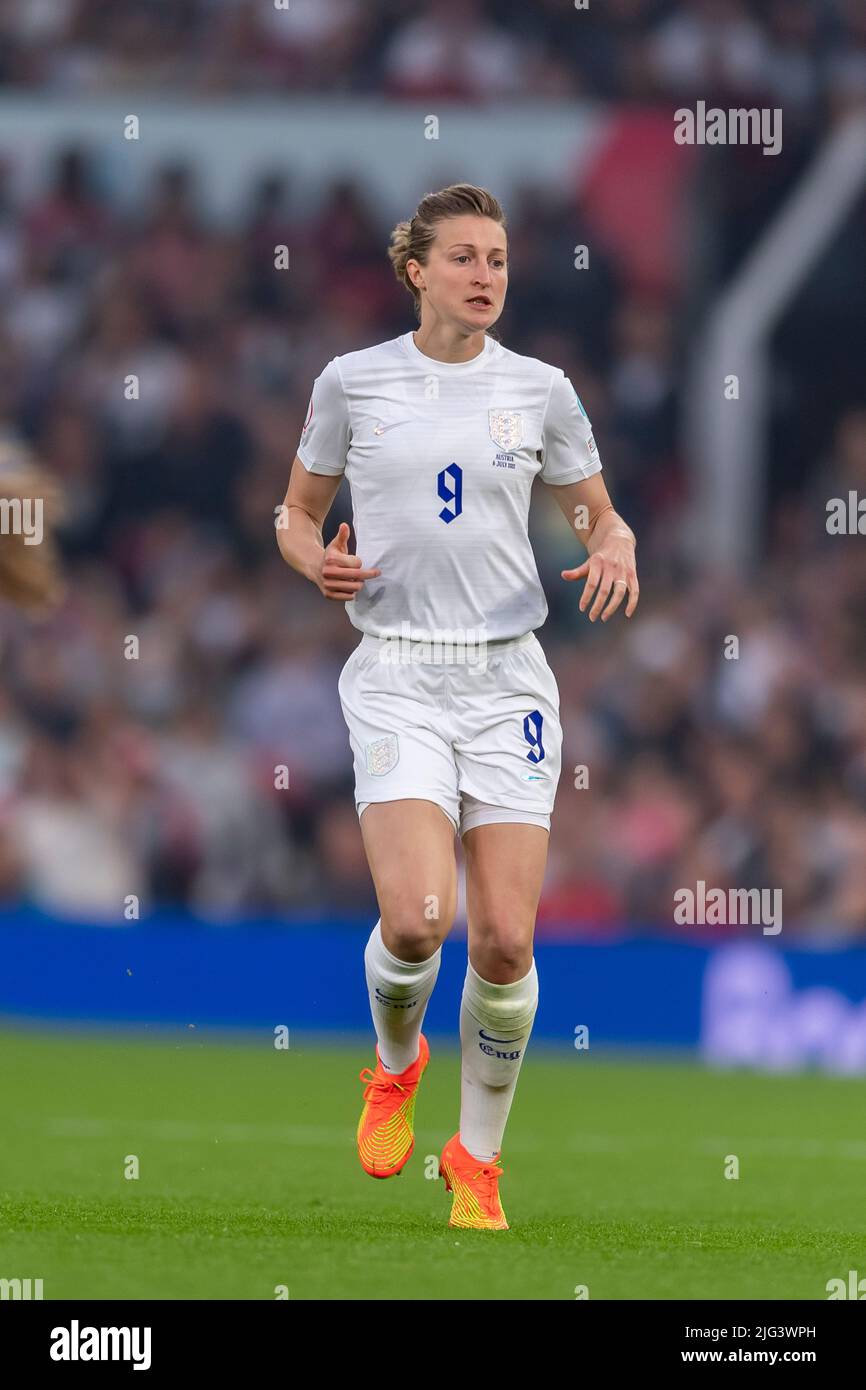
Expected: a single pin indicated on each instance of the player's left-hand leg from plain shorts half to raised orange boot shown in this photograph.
(407, 794)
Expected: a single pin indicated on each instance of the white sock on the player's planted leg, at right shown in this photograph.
(496, 1025)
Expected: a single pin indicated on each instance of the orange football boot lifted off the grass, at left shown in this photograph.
(386, 1135)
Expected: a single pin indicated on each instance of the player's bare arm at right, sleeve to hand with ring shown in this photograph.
(611, 571)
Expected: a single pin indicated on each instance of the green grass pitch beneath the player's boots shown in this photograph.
(250, 1178)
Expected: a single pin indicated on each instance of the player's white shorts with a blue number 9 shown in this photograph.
(484, 743)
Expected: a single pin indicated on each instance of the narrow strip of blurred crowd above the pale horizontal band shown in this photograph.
(799, 52)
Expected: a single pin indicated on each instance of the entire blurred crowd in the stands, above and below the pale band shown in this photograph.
(155, 776)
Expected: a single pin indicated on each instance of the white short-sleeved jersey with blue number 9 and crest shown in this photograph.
(441, 459)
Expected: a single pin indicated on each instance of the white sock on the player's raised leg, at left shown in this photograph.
(400, 992)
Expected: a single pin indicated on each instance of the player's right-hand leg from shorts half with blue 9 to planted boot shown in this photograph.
(509, 755)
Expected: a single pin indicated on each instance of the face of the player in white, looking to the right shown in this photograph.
(466, 273)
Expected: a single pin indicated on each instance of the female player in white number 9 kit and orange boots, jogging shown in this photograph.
(451, 705)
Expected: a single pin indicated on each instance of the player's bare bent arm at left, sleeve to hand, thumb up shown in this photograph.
(300, 536)
